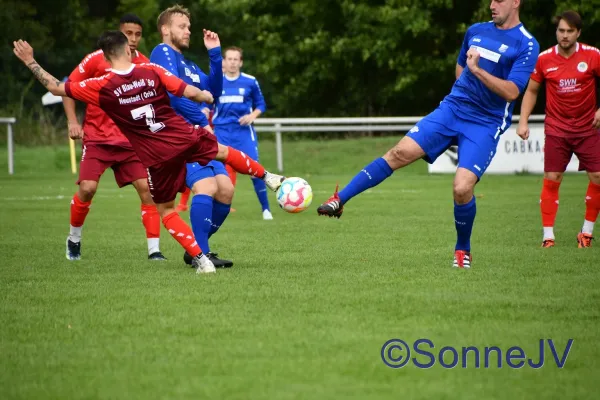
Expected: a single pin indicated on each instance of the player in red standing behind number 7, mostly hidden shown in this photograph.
(105, 146)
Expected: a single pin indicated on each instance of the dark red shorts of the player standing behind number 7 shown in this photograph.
(97, 157)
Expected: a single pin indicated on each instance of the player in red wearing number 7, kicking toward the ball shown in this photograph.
(135, 97)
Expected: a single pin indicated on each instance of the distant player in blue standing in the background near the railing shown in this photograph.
(240, 103)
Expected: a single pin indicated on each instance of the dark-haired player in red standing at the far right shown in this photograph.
(572, 121)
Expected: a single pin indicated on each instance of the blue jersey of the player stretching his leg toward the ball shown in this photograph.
(508, 54)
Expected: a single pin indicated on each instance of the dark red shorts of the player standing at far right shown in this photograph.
(559, 150)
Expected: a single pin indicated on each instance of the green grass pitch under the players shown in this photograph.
(310, 301)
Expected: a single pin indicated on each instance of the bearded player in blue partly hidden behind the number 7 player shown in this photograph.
(212, 188)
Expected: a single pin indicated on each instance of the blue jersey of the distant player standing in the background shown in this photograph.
(239, 97)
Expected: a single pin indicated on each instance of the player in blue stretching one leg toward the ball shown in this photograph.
(493, 68)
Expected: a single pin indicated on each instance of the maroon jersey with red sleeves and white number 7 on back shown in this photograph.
(137, 101)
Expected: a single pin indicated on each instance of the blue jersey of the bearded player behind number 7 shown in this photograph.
(191, 74)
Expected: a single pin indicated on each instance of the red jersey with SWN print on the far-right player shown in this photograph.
(570, 90)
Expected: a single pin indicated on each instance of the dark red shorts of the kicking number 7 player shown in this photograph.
(167, 178)
